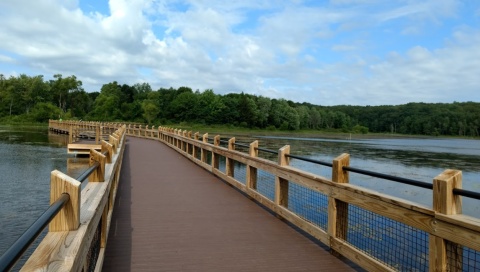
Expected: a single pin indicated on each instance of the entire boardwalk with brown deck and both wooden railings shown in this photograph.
(171, 200)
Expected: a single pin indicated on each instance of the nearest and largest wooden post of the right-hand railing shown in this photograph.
(443, 255)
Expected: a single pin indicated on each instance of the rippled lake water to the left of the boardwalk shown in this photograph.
(27, 156)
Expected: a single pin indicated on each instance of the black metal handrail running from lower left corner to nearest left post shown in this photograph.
(16, 251)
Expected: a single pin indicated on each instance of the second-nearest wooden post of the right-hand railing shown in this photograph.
(338, 210)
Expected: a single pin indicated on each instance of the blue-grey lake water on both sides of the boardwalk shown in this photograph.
(29, 154)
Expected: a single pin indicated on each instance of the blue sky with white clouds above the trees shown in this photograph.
(360, 52)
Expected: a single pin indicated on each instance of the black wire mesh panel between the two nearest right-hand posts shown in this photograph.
(399, 246)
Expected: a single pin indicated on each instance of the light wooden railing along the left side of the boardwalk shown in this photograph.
(78, 234)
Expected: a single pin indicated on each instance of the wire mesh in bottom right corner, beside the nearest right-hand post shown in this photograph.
(460, 258)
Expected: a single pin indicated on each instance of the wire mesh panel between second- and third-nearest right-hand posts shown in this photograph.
(308, 204)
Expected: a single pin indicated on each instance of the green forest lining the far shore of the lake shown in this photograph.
(33, 99)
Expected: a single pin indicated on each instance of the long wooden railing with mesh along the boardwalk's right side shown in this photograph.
(355, 218)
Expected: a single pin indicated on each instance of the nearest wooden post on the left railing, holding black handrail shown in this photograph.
(69, 217)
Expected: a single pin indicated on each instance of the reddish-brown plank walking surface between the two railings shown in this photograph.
(171, 215)
